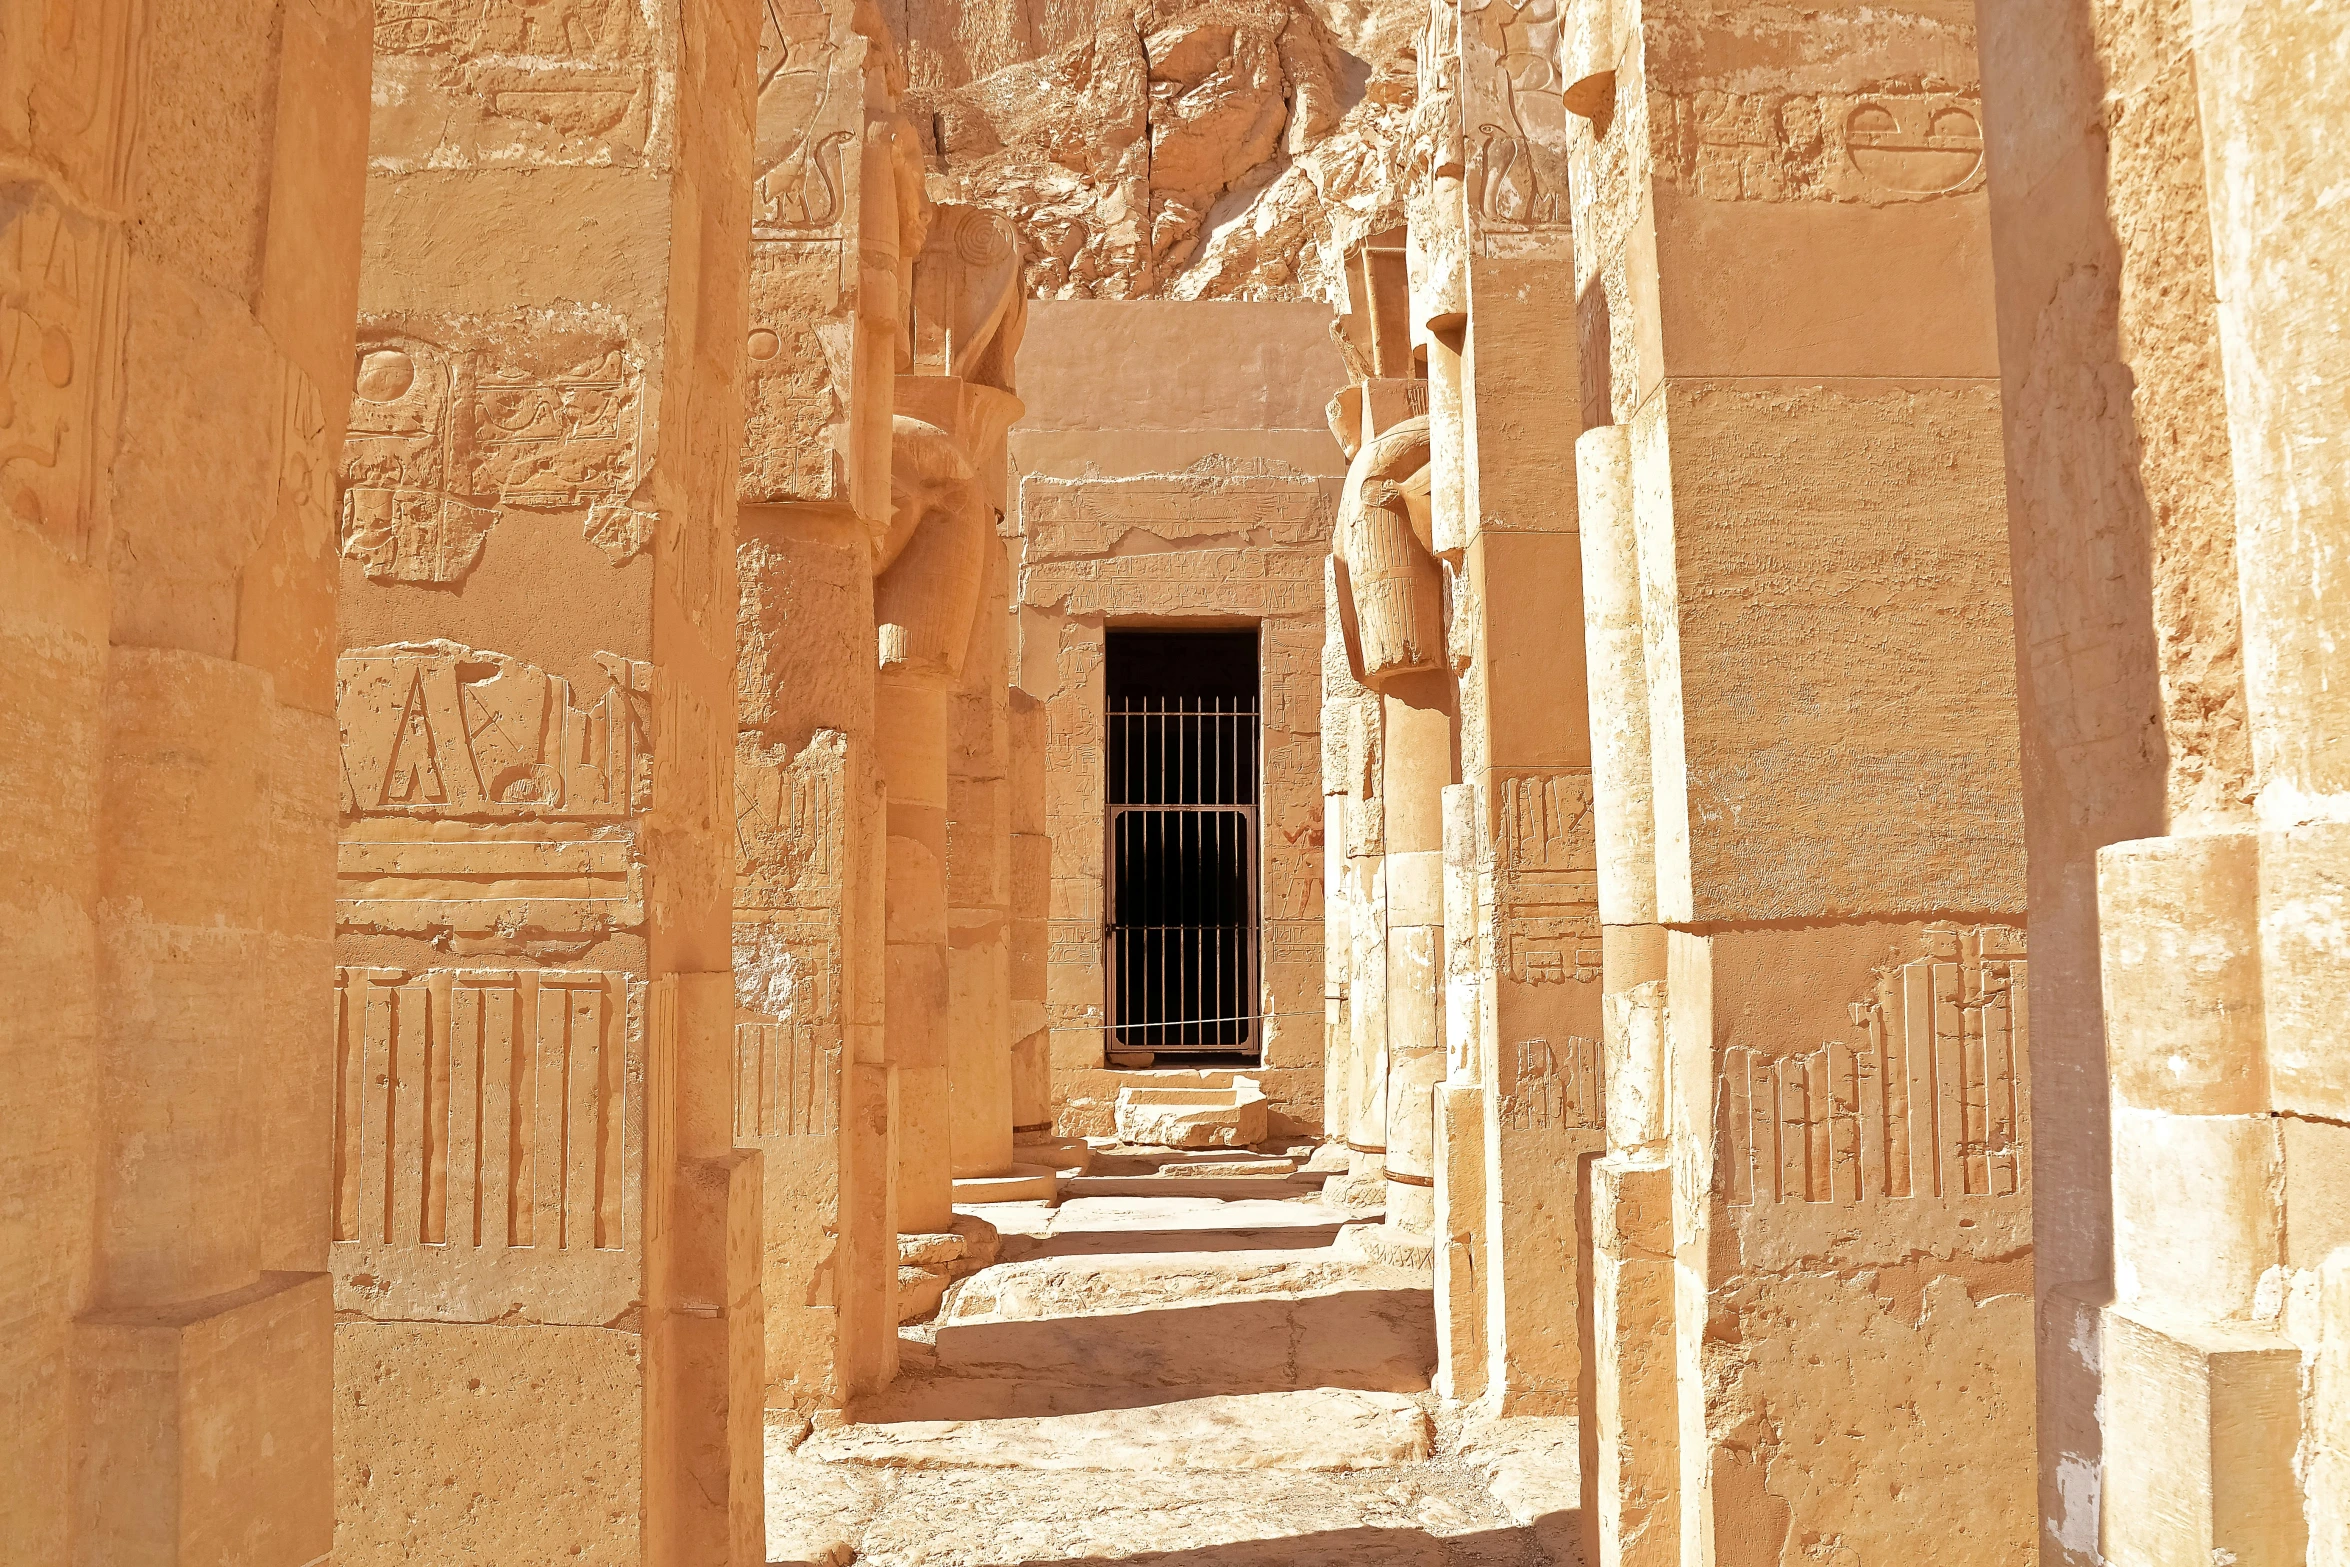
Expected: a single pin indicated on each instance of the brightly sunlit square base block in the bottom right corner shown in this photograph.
(2201, 1430)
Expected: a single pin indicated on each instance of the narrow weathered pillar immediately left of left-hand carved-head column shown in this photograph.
(835, 227)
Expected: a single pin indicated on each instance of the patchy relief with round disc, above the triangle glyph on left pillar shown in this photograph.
(521, 415)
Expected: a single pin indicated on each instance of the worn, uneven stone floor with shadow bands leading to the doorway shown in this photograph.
(1183, 1364)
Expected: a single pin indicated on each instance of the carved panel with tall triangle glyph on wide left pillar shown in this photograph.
(436, 729)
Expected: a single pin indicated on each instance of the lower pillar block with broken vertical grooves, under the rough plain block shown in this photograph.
(1867, 1211)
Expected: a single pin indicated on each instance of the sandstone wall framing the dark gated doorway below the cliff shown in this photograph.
(1174, 471)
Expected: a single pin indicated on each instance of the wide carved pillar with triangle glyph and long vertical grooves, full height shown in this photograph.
(537, 1190)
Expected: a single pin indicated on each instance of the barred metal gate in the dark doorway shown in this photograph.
(1181, 934)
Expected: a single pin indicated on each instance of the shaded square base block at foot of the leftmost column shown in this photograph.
(206, 1430)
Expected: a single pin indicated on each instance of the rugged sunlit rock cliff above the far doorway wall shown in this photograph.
(1169, 149)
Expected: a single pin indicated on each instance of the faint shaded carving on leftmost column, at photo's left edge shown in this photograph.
(60, 325)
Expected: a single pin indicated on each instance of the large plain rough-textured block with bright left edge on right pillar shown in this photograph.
(1771, 805)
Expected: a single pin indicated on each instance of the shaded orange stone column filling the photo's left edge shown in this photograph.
(177, 278)
